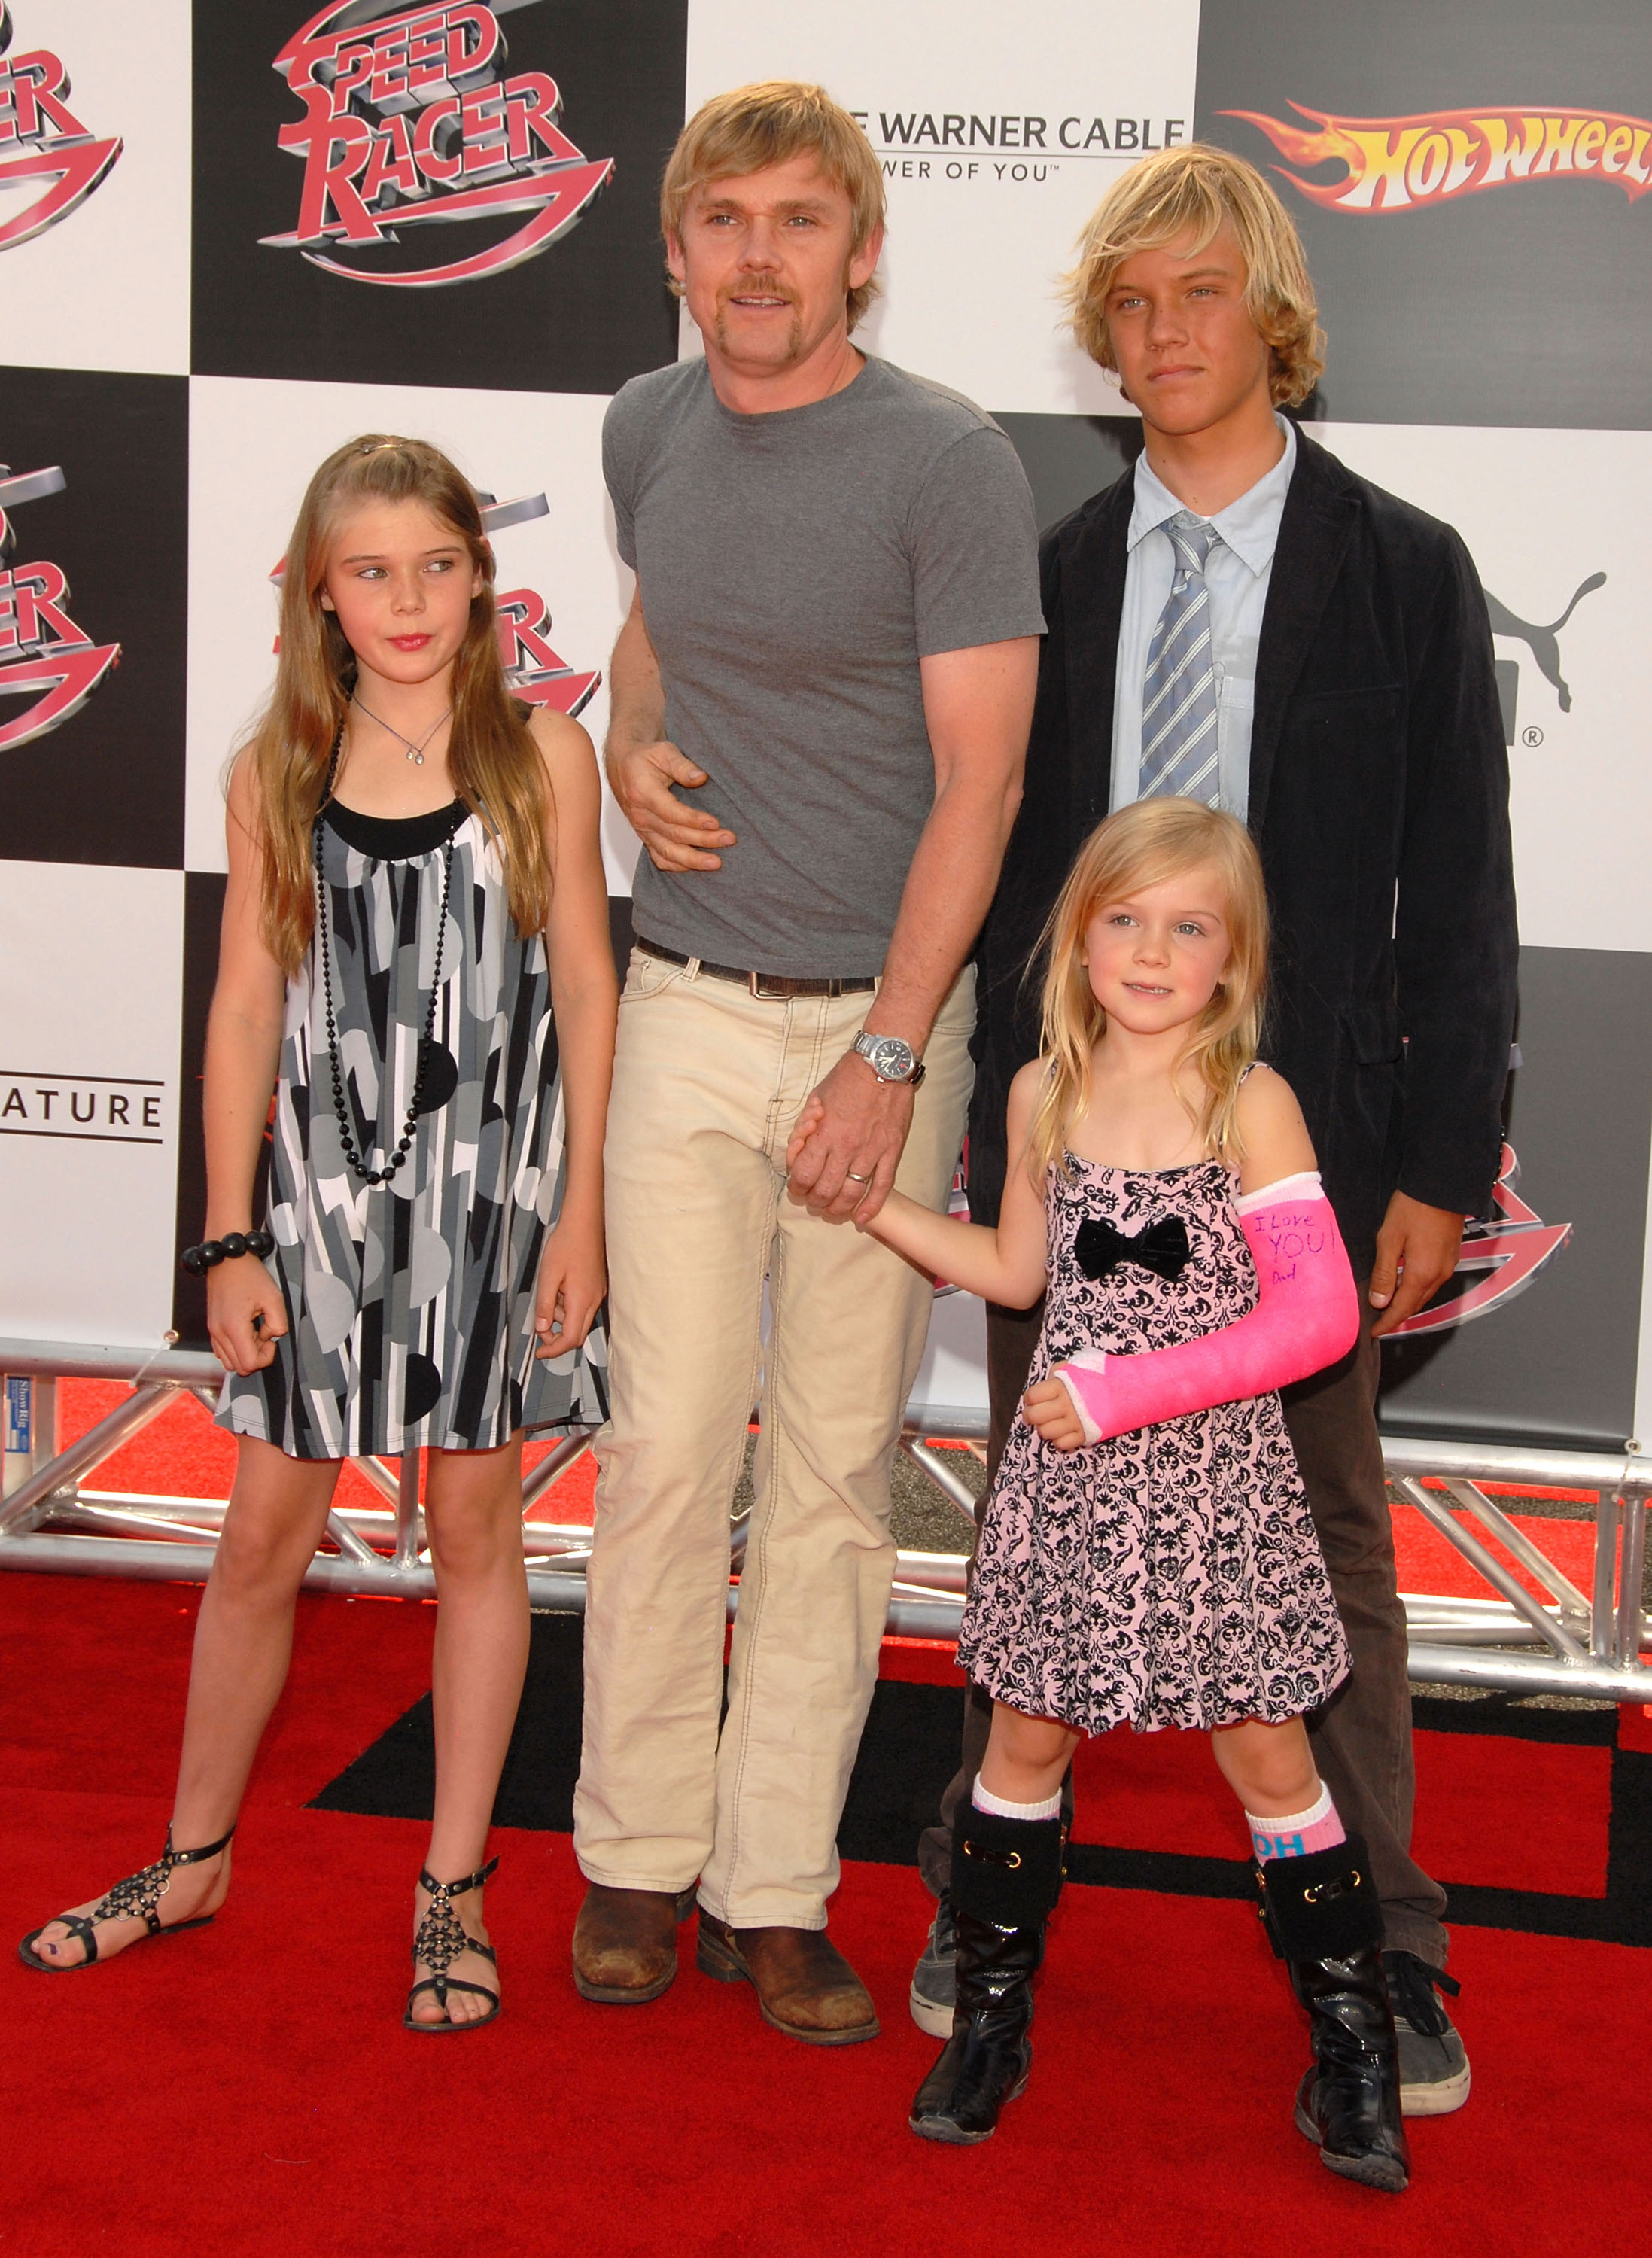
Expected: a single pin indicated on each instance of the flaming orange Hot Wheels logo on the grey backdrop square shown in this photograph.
(1405, 164)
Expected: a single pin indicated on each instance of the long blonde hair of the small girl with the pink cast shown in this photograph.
(1139, 848)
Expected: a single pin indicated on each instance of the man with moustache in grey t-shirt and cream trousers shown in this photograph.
(820, 715)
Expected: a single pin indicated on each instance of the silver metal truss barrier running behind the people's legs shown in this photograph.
(1570, 1643)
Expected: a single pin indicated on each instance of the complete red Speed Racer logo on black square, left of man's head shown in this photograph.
(412, 121)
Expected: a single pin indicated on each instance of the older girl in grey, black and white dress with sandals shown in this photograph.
(414, 943)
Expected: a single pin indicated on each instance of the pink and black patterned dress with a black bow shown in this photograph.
(1166, 1577)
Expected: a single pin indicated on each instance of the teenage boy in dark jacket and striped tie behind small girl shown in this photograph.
(1339, 699)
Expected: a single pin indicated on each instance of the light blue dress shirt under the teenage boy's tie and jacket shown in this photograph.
(1238, 579)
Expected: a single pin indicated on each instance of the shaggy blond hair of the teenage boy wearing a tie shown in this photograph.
(1197, 191)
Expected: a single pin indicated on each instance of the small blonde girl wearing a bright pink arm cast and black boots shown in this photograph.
(1148, 1552)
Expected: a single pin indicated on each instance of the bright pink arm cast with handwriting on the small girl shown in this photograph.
(1306, 1318)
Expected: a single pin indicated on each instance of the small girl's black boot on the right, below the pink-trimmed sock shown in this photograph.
(1328, 1925)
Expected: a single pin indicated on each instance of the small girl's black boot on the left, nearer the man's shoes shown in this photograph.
(1005, 1882)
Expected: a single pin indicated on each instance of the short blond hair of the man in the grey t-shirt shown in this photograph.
(771, 123)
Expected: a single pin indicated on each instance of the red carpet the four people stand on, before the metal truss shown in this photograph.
(249, 2088)
